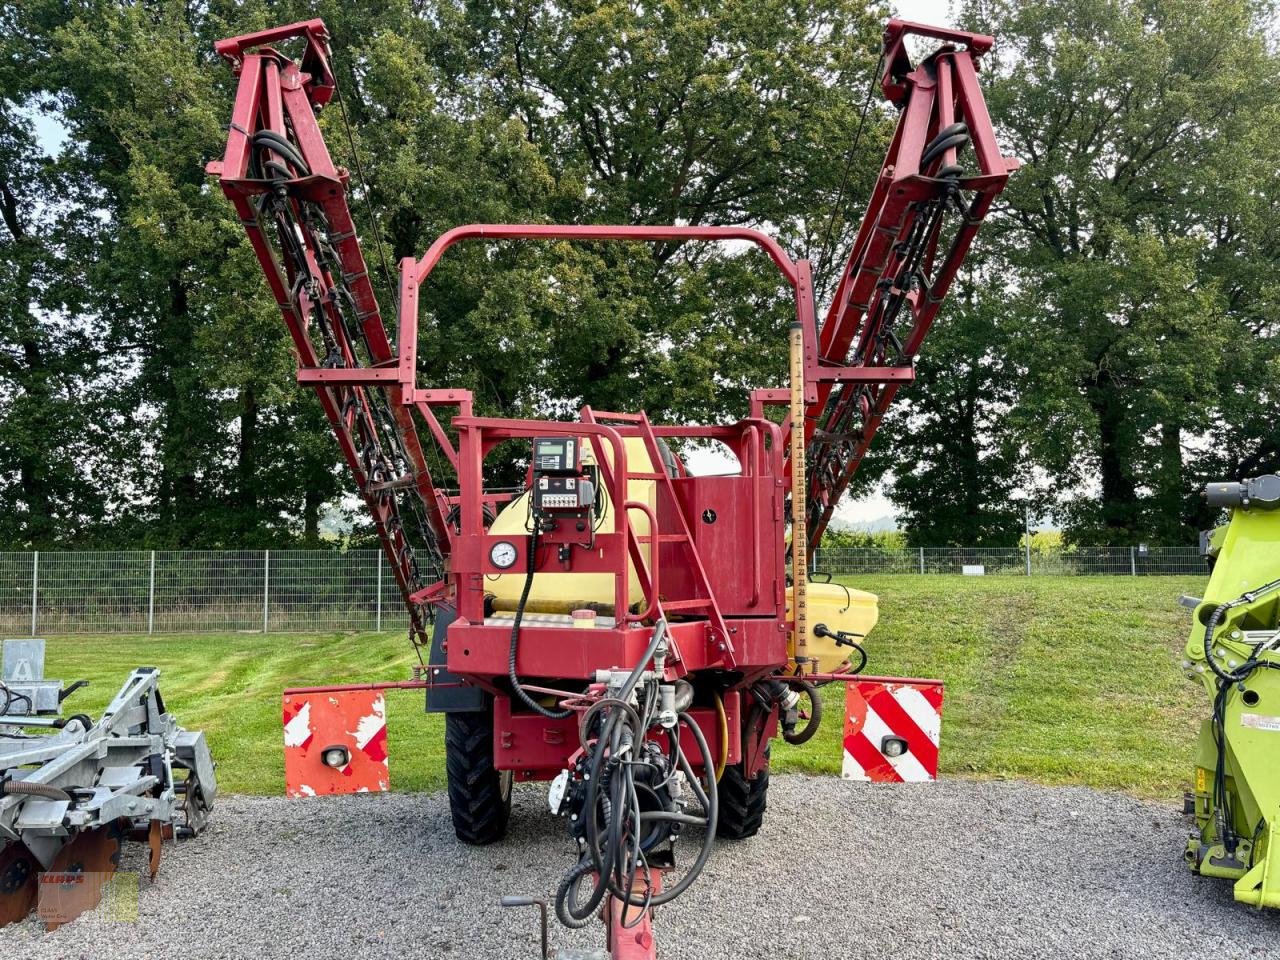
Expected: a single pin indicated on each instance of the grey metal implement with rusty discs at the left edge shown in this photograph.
(72, 789)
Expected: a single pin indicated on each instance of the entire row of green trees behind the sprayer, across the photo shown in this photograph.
(1116, 346)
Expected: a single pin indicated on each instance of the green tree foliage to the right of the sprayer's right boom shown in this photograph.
(1131, 273)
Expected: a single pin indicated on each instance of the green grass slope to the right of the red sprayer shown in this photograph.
(1060, 680)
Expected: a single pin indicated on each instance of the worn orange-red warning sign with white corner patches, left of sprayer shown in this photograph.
(335, 743)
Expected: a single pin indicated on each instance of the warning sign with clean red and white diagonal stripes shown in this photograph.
(893, 730)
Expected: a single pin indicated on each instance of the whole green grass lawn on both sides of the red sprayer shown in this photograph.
(1063, 680)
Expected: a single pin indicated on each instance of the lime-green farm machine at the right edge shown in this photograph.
(1235, 651)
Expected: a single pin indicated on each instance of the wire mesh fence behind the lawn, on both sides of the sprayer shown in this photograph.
(193, 592)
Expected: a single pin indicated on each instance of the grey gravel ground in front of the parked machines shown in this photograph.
(954, 870)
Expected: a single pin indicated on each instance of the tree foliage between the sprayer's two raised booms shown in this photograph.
(595, 113)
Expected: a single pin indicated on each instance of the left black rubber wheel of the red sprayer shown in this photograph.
(479, 796)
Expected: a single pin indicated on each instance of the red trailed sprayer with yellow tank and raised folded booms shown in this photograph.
(619, 627)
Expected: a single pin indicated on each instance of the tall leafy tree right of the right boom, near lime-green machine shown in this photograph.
(1119, 235)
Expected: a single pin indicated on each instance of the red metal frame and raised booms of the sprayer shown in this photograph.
(719, 586)
